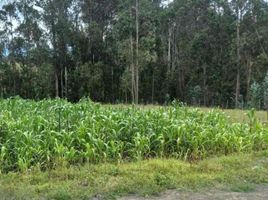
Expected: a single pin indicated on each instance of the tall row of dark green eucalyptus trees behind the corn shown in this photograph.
(207, 52)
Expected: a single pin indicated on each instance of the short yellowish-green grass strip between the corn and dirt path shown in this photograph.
(145, 178)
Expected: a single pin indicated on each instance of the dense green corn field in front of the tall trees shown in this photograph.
(49, 132)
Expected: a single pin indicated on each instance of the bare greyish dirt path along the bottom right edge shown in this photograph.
(261, 193)
